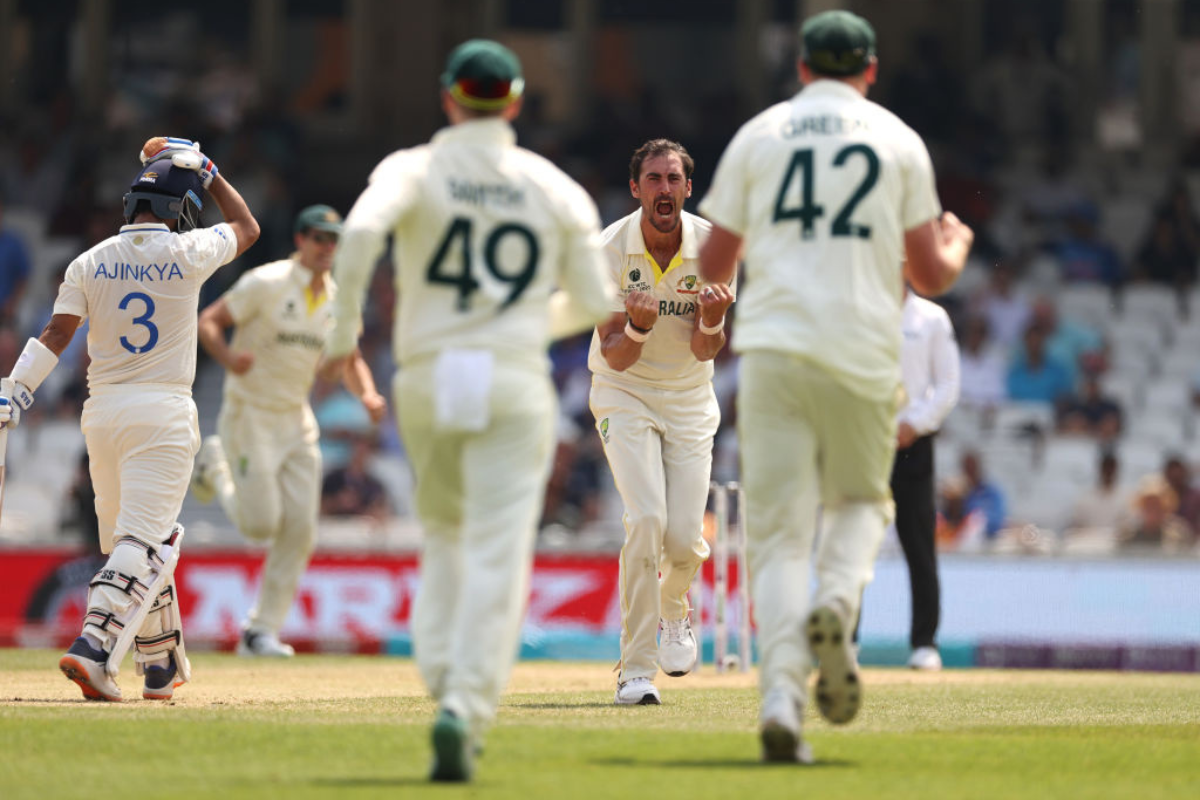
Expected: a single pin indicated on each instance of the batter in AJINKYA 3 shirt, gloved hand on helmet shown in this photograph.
(141, 291)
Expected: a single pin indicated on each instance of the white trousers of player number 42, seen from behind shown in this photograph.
(808, 441)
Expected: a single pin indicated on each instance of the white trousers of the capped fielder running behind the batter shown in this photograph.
(273, 495)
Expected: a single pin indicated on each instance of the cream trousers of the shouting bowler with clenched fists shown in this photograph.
(659, 444)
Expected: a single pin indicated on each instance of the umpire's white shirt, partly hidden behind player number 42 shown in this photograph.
(929, 365)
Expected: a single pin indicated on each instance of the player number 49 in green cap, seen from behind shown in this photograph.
(483, 231)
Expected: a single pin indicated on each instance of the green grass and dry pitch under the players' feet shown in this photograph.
(349, 727)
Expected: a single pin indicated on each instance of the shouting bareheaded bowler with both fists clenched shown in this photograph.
(657, 414)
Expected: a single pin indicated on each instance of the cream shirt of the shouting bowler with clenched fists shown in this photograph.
(667, 360)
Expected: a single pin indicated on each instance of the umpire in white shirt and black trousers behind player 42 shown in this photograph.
(929, 368)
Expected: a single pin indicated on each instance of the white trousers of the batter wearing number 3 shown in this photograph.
(141, 444)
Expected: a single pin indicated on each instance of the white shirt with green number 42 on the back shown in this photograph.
(821, 189)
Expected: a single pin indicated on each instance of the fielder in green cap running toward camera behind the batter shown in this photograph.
(265, 465)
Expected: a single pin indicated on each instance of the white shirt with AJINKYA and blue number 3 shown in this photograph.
(141, 291)
